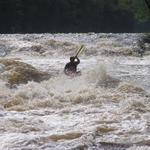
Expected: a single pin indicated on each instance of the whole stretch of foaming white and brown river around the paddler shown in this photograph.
(106, 108)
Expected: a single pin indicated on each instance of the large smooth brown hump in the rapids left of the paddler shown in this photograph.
(16, 72)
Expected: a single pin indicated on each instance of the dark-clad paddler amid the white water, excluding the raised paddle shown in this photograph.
(71, 67)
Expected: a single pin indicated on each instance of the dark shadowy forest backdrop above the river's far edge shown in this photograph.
(37, 16)
